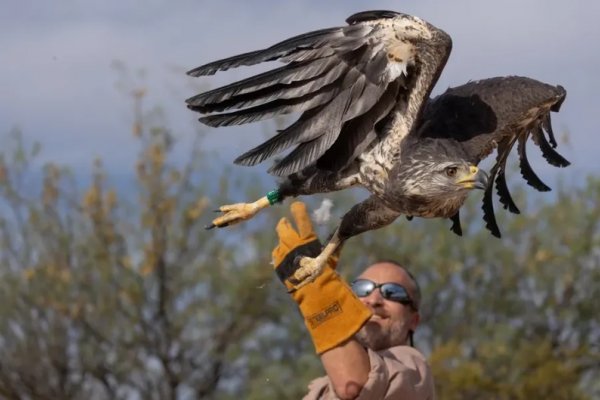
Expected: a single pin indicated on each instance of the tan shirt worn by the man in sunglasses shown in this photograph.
(399, 373)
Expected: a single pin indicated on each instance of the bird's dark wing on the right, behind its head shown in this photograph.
(498, 113)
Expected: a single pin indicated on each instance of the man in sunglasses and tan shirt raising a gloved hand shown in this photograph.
(361, 333)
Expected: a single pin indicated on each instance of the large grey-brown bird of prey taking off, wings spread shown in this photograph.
(362, 92)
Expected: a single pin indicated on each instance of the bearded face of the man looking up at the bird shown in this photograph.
(391, 321)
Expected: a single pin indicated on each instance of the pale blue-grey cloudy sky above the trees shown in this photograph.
(60, 87)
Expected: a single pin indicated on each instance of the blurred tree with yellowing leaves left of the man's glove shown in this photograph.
(108, 295)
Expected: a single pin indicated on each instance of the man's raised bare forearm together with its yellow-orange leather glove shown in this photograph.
(333, 314)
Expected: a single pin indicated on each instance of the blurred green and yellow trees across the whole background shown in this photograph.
(113, 294)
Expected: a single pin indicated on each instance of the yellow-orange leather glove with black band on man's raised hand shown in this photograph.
(331, 311)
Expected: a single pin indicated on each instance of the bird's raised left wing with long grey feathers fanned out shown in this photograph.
(343, 80)
